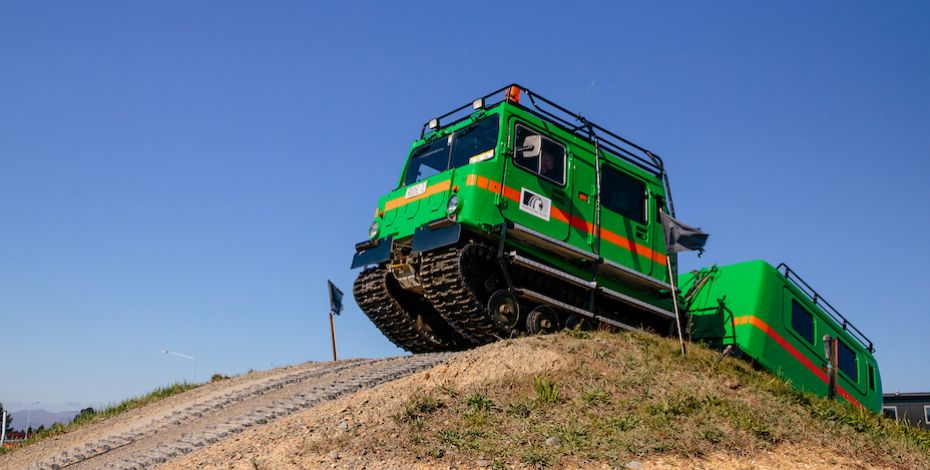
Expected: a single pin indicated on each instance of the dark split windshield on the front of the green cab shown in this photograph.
(453, 150)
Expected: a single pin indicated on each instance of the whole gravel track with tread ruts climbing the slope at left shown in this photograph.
(156, 433)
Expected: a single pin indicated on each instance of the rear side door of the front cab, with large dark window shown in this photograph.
(626, 237)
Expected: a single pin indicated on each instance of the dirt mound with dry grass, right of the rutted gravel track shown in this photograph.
(576, 401)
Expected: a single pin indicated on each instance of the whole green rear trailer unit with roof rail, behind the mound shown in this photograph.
(771, 316)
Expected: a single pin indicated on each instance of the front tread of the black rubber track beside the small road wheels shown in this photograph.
(445, 283)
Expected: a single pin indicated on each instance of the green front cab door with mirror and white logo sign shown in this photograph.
(537, 185)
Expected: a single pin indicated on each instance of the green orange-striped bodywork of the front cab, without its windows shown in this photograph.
(489, 193)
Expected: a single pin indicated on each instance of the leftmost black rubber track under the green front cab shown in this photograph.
(386, 312)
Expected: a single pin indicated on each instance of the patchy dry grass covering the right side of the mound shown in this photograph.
(632, 396)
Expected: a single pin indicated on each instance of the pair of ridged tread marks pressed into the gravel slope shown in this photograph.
(391, 369)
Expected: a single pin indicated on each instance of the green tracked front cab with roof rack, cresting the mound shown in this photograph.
(515, 216)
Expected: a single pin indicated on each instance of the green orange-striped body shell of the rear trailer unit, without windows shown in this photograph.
(748, 305)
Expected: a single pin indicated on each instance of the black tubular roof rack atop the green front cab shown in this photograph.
(574, 123)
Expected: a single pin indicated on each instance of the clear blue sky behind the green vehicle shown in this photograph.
(187, 175)
